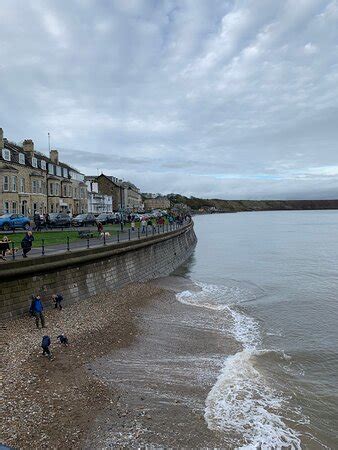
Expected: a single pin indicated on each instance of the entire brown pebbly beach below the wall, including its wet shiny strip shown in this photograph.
(137, 372)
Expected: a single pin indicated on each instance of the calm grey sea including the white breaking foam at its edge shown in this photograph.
(272, 280)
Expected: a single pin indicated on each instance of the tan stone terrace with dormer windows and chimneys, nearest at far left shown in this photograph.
(32, 182)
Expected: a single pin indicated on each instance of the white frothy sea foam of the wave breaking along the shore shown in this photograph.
(241, 403)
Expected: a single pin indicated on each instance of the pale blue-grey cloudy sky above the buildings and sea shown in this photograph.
(212, 98)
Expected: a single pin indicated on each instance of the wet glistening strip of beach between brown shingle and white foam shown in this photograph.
(163, 377)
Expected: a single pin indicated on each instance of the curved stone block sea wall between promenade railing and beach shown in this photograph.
(88, 272)
